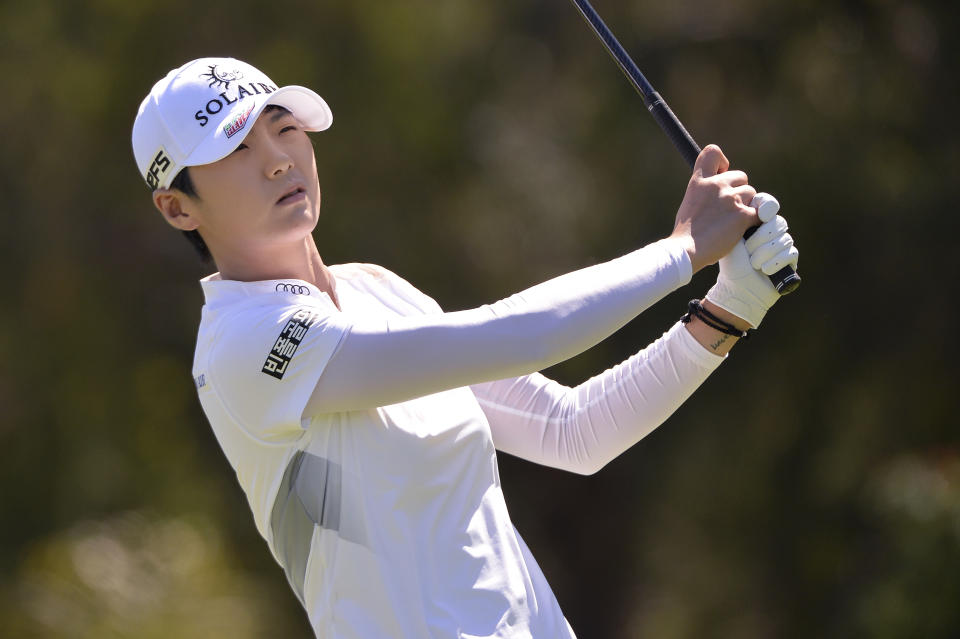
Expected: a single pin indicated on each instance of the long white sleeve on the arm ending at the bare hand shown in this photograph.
(390, 360)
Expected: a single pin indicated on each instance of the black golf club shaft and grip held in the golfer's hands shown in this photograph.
(786, 280)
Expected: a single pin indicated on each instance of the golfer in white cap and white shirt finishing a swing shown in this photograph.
(361, 419)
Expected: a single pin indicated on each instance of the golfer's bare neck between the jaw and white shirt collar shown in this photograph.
(301, 262)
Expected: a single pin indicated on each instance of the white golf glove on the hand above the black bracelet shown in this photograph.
(743, 287)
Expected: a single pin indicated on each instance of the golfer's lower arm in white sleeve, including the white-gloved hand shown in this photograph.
(581, 429)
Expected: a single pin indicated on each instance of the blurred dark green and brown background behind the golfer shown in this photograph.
(810, 488)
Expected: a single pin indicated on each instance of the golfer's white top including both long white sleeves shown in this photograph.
(365, 438)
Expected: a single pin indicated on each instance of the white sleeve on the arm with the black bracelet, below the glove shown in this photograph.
(581, 429)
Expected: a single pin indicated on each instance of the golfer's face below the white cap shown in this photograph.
(263, 195)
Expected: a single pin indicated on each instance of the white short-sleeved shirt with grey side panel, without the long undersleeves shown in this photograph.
(388, 521)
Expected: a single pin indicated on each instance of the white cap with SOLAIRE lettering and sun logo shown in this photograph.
(199, 113)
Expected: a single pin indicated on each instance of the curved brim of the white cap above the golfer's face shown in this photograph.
(309, 108)
